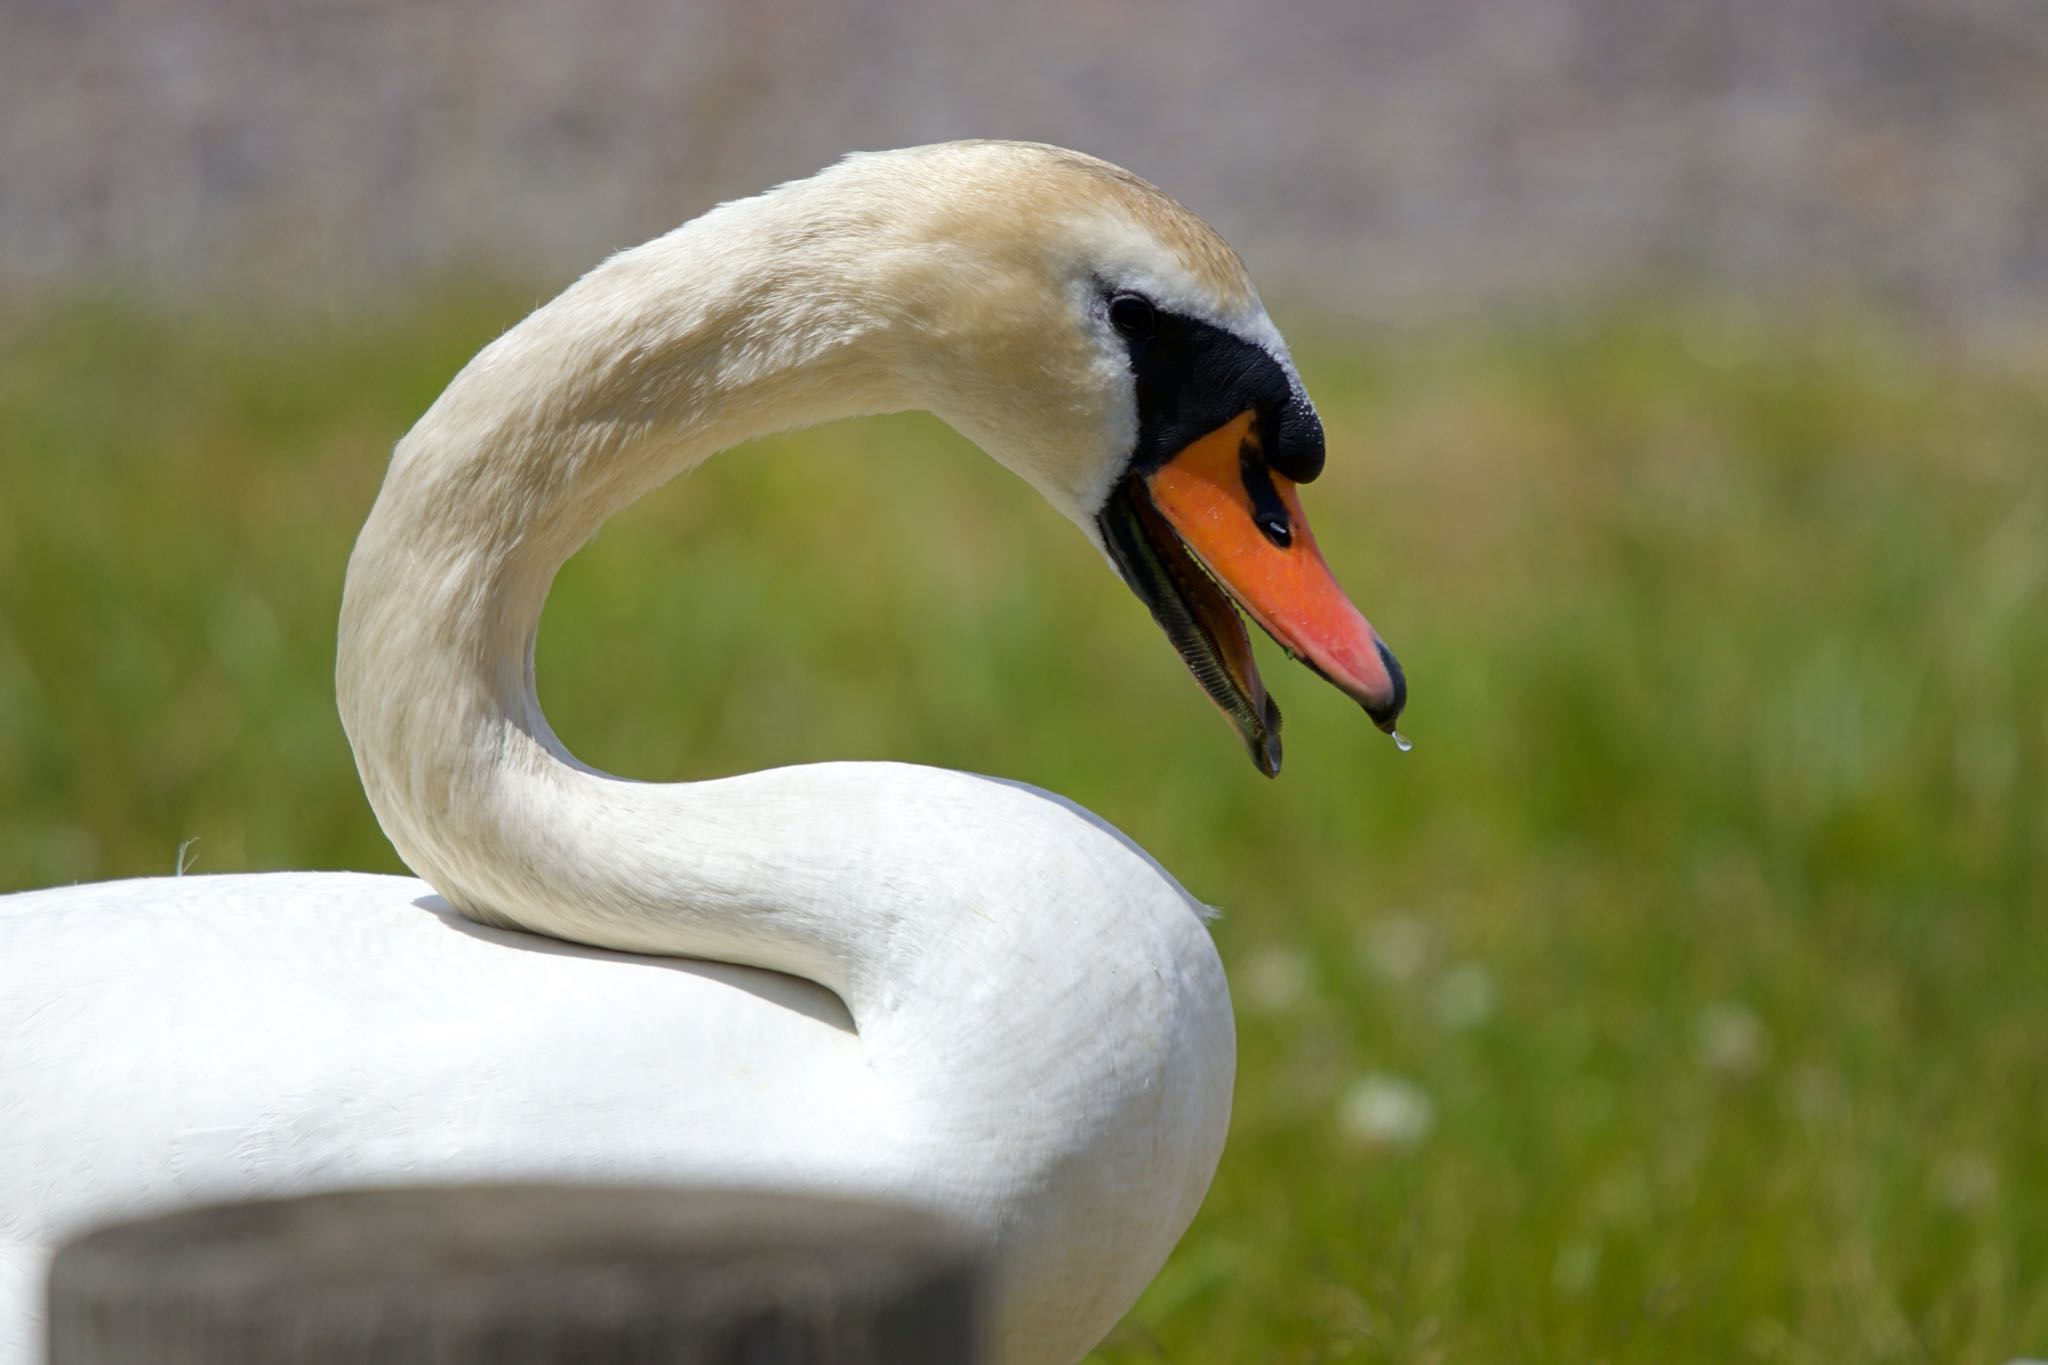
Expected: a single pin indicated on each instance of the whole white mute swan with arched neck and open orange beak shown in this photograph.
(976, 994)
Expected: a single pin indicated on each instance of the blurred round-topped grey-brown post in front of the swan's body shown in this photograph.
(536, 1274)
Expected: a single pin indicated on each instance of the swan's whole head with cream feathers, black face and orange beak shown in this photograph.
(1101, 341)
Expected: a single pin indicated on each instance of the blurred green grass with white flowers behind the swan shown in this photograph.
(1680, 998)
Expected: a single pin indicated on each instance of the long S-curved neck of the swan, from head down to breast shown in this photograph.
(880, 883)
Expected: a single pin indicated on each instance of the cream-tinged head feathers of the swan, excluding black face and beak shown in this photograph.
(994, 263)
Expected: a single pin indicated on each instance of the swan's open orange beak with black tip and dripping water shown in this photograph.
(1222, 507)
